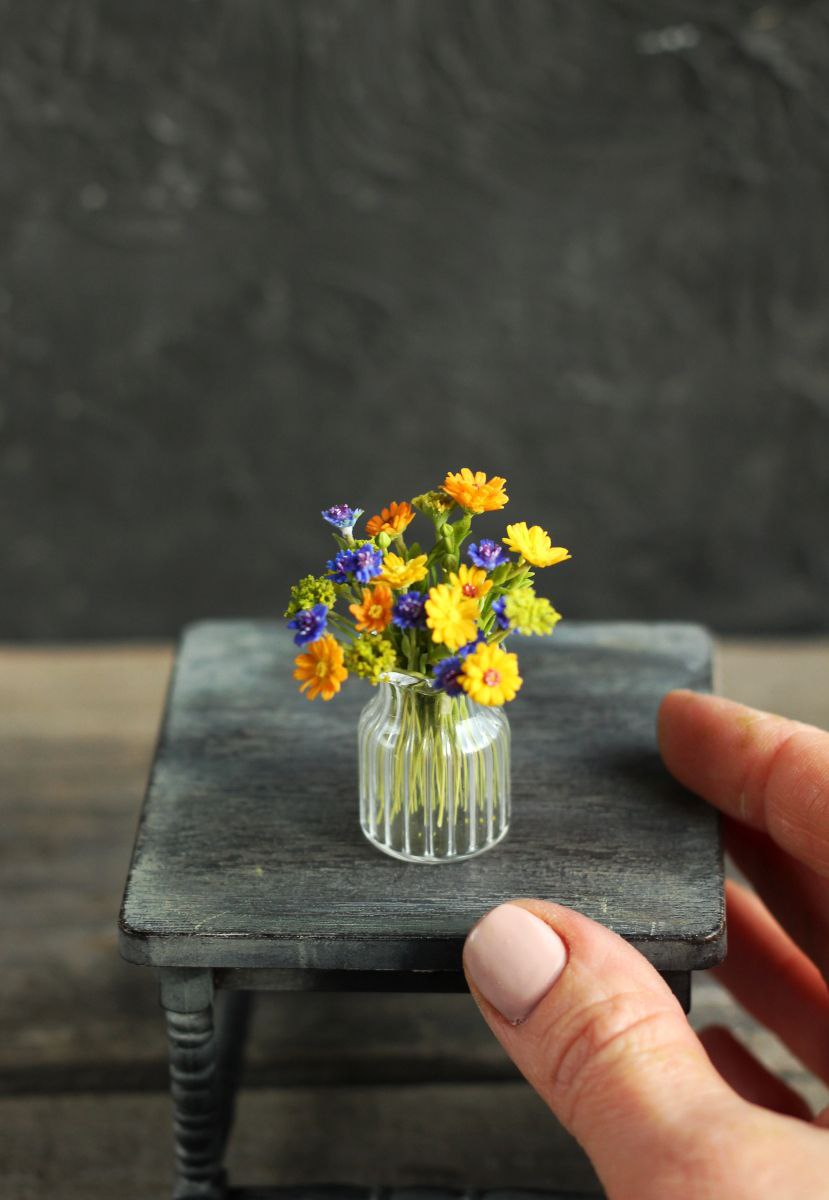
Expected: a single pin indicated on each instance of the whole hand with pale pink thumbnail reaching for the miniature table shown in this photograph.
(605, 1043)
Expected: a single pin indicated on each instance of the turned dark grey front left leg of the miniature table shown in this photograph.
(187, 998)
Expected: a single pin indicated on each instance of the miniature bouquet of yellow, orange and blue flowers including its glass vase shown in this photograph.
(429, 625)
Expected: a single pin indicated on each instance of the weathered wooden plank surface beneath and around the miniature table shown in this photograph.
(406, 1091)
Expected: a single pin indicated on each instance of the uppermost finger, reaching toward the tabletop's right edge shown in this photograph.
(771, 773)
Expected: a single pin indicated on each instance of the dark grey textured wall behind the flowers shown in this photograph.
(260, 256)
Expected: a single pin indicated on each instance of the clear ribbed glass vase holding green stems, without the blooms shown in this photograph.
(435, 772)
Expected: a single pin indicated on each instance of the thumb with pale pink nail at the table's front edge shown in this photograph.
(603, 1040)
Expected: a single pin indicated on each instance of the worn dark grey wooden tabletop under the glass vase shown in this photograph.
(250, 854)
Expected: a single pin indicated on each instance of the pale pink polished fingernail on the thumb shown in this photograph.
(514, 959)
